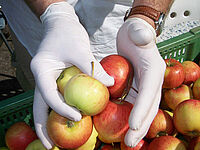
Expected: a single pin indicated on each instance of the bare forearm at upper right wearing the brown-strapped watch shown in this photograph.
(159, 5)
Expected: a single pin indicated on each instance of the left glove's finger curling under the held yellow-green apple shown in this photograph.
(45, 73)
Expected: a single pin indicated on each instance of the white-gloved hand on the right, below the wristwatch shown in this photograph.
(136, 41)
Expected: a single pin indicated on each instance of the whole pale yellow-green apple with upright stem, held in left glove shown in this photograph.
(87, 94)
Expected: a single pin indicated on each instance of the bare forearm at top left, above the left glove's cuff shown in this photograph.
(39, 6)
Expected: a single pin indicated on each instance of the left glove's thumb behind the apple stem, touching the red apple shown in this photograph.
(94, 68)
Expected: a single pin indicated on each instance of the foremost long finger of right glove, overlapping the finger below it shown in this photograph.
(149, 84)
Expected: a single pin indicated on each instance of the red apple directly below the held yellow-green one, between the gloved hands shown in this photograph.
(112, 123)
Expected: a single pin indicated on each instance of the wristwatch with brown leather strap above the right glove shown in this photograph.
(157, 16)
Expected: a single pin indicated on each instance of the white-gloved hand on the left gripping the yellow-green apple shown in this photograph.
(65, 43)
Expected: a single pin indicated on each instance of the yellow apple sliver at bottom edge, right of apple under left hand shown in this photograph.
(91, 142)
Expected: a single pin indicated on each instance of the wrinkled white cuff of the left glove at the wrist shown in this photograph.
(58, 9)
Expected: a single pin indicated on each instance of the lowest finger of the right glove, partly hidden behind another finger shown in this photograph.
(133, 137)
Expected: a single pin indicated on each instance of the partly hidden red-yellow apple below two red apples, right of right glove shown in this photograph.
(174, 96)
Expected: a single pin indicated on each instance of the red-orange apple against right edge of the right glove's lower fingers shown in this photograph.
(161, 125)
